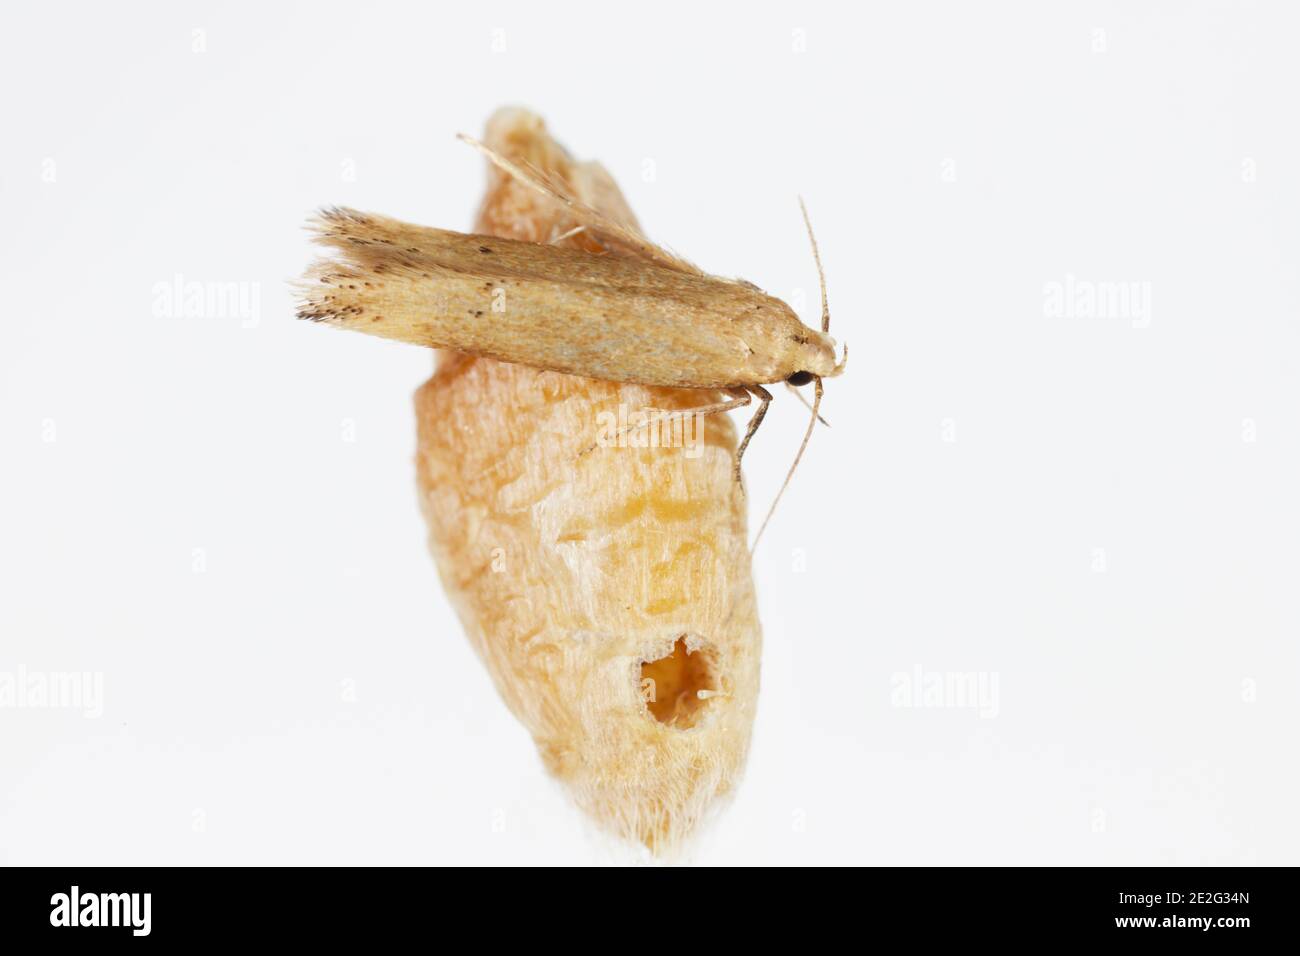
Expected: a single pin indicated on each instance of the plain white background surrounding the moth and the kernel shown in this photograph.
(1073, 505)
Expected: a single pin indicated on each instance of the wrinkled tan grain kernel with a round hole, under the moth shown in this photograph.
(610, 595)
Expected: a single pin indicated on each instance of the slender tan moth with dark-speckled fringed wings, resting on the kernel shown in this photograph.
(644, 318)
